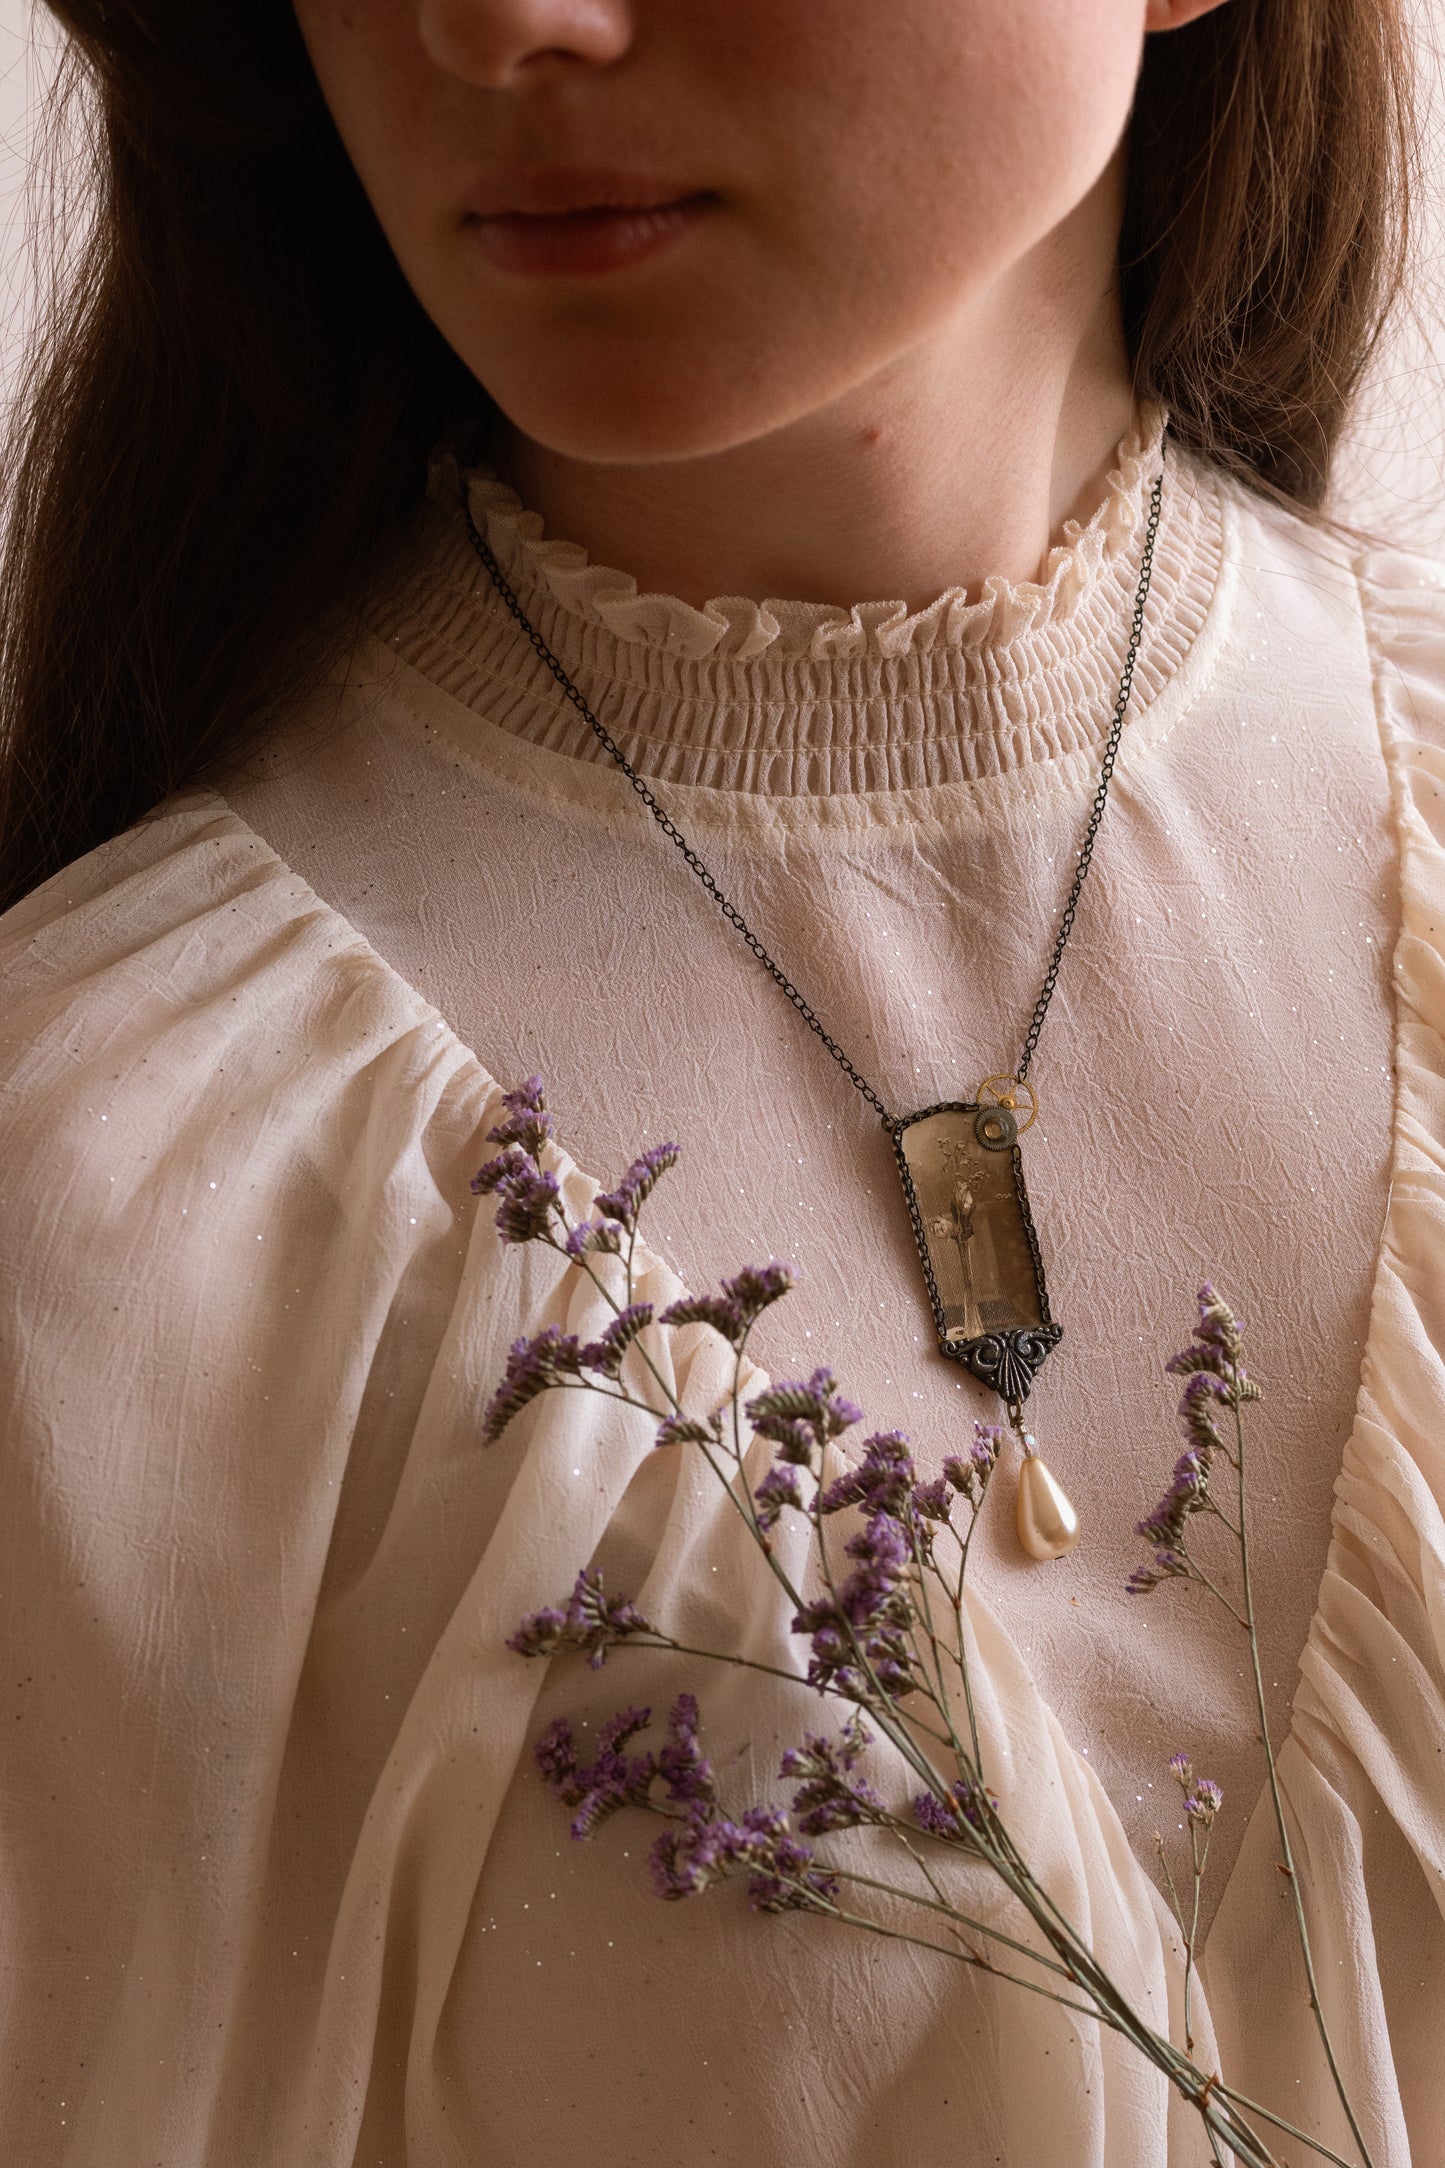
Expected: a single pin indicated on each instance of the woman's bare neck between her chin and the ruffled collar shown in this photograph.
(959, 461)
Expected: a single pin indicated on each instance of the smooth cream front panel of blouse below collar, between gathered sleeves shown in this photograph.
(1214, 1074)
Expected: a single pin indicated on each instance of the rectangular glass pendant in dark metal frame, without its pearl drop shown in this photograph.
(976, 1241)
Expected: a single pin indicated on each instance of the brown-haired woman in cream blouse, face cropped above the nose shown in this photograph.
(779, 311)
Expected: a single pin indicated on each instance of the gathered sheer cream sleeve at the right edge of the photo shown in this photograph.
(1364, 1770)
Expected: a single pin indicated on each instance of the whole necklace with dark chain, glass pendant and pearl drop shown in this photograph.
(961, 1161)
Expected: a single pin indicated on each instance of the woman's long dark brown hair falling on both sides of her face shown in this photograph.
(229, 400)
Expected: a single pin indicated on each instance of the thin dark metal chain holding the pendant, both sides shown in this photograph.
(735, 918)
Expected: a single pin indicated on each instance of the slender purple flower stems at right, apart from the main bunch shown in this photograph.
(1212, 1406)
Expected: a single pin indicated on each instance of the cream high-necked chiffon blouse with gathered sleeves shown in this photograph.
(281, 1879)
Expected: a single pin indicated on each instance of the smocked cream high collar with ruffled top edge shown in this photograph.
(805, 699)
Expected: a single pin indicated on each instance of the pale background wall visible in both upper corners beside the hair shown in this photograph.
(1392, 478)
